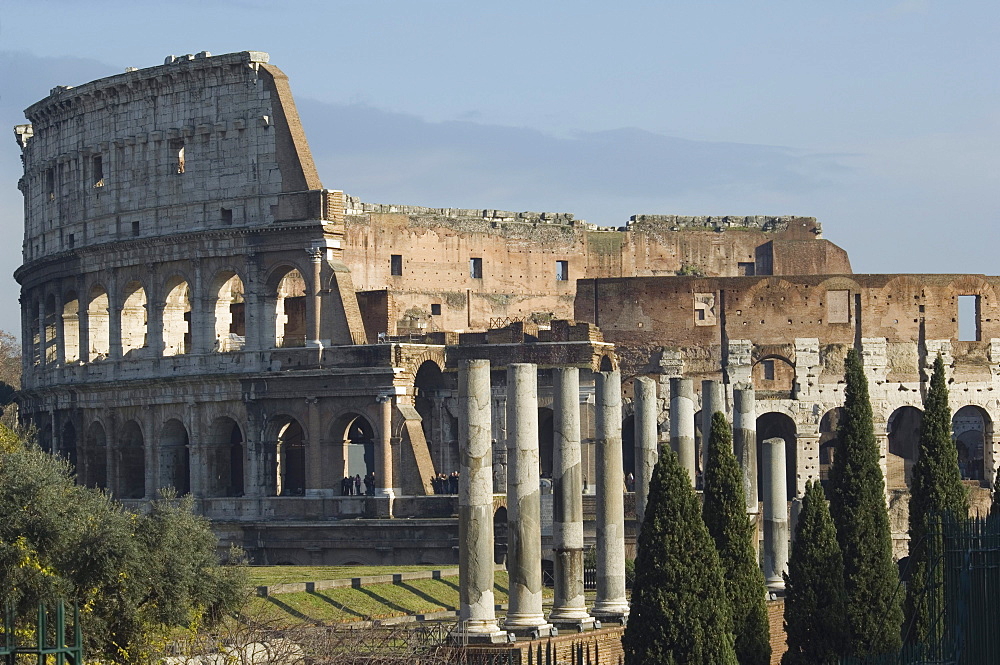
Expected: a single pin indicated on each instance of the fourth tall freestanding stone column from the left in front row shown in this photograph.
(611, 603)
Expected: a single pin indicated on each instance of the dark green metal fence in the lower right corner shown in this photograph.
(962, 595)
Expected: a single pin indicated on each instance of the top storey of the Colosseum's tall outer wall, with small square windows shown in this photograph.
(198, 143)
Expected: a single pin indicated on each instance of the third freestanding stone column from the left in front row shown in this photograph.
(569, 607)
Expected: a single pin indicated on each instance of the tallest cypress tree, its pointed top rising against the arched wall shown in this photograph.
(857, 504)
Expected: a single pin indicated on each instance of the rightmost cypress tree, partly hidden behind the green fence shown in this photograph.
(936, 488)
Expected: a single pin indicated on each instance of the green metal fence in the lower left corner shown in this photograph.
(49, 640)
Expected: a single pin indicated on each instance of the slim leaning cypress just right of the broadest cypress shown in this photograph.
(725, 516)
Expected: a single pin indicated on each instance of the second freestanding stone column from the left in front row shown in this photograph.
(524, 535)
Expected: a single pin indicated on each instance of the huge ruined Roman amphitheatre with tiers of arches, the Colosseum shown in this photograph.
(198, 312)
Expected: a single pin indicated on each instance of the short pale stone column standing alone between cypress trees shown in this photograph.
(775, 513)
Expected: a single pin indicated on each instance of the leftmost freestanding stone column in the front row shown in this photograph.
(477, 616)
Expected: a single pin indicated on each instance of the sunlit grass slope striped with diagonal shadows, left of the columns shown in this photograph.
(376, 601)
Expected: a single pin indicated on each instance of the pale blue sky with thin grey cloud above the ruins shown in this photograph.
(879, 118)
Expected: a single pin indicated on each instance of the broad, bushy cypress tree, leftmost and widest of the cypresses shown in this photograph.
(679, 613)
